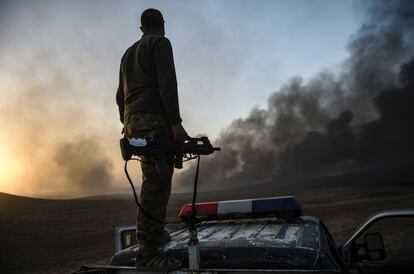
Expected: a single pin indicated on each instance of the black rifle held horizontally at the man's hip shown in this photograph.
(157, 146)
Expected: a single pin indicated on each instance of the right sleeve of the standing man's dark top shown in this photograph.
(167, 80)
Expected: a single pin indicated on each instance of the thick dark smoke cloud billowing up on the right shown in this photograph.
(356, 118)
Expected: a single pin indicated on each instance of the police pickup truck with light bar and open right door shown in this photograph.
(266, 235)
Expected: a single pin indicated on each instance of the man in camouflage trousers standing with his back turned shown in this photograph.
(148, 106)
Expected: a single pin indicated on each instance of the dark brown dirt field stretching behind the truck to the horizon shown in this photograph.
(58, 236)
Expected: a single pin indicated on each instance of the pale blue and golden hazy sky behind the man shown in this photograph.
(59, 63)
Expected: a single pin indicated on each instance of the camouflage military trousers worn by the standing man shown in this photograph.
(157, 175)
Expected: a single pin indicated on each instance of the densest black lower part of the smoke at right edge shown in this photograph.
(387, 140)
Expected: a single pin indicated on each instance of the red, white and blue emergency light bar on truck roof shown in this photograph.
(287, 208)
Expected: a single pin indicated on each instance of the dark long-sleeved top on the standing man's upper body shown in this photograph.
(147, 79)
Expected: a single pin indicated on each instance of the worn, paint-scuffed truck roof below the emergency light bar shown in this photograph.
(265, 243)
